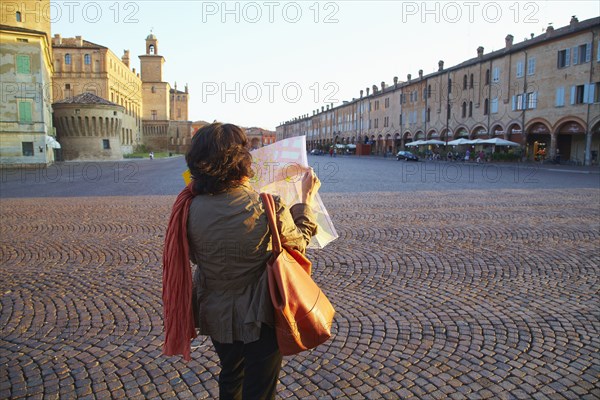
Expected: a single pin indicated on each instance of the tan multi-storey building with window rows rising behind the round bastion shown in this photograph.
(85, 67)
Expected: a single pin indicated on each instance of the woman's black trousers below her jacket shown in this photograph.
(249, 371)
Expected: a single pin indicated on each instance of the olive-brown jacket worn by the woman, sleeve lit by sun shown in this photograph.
(230, 243)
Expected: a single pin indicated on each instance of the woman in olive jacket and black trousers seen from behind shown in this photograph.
(230, 243)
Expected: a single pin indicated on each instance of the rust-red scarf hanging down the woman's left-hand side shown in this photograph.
(177, 280)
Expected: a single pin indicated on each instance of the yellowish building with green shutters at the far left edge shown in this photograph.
(26, 130)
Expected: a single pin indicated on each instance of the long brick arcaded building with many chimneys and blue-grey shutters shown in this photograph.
(543, 92)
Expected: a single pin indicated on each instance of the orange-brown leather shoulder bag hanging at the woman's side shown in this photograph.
(303, 314)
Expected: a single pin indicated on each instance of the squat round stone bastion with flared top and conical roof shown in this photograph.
(90, 127)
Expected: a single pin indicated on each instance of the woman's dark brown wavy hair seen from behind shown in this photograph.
(219, 158)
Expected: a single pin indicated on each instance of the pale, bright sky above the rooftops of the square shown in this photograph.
(260, 63)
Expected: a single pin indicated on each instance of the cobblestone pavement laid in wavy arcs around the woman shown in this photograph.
(453, 294)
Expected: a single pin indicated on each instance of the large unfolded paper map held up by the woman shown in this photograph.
(278, 170)
